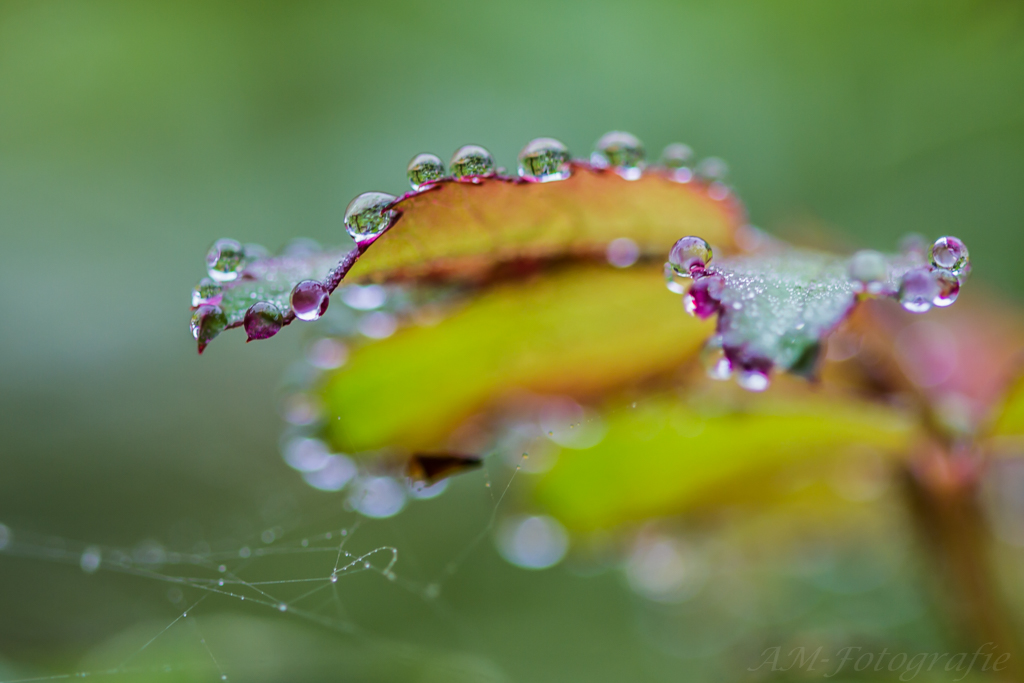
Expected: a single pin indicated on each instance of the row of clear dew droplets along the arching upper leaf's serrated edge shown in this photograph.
(370, 215)
